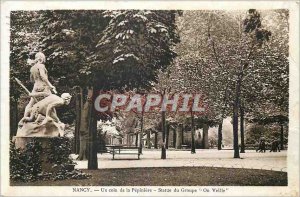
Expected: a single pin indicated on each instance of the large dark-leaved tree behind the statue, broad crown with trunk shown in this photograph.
(112, 50)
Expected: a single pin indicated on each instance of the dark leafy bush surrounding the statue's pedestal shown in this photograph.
(26, 165)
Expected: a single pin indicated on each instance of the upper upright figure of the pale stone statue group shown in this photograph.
(39, 76)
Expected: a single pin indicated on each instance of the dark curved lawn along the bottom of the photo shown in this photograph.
(172, 176)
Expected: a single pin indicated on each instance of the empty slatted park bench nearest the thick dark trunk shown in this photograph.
(123, 150)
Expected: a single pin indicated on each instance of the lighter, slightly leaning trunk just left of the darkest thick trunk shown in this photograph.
(84, 127)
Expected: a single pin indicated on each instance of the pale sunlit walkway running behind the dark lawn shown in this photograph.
(213, 158)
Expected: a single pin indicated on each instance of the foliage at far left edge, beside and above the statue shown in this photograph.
(23, 41)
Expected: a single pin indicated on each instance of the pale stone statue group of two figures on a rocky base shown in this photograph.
(40, 117)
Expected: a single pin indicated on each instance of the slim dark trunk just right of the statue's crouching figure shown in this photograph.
(78, 107)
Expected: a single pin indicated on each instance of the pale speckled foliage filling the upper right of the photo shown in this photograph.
(209, 60)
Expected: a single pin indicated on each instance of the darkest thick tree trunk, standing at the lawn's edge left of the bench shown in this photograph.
(93, 142)
